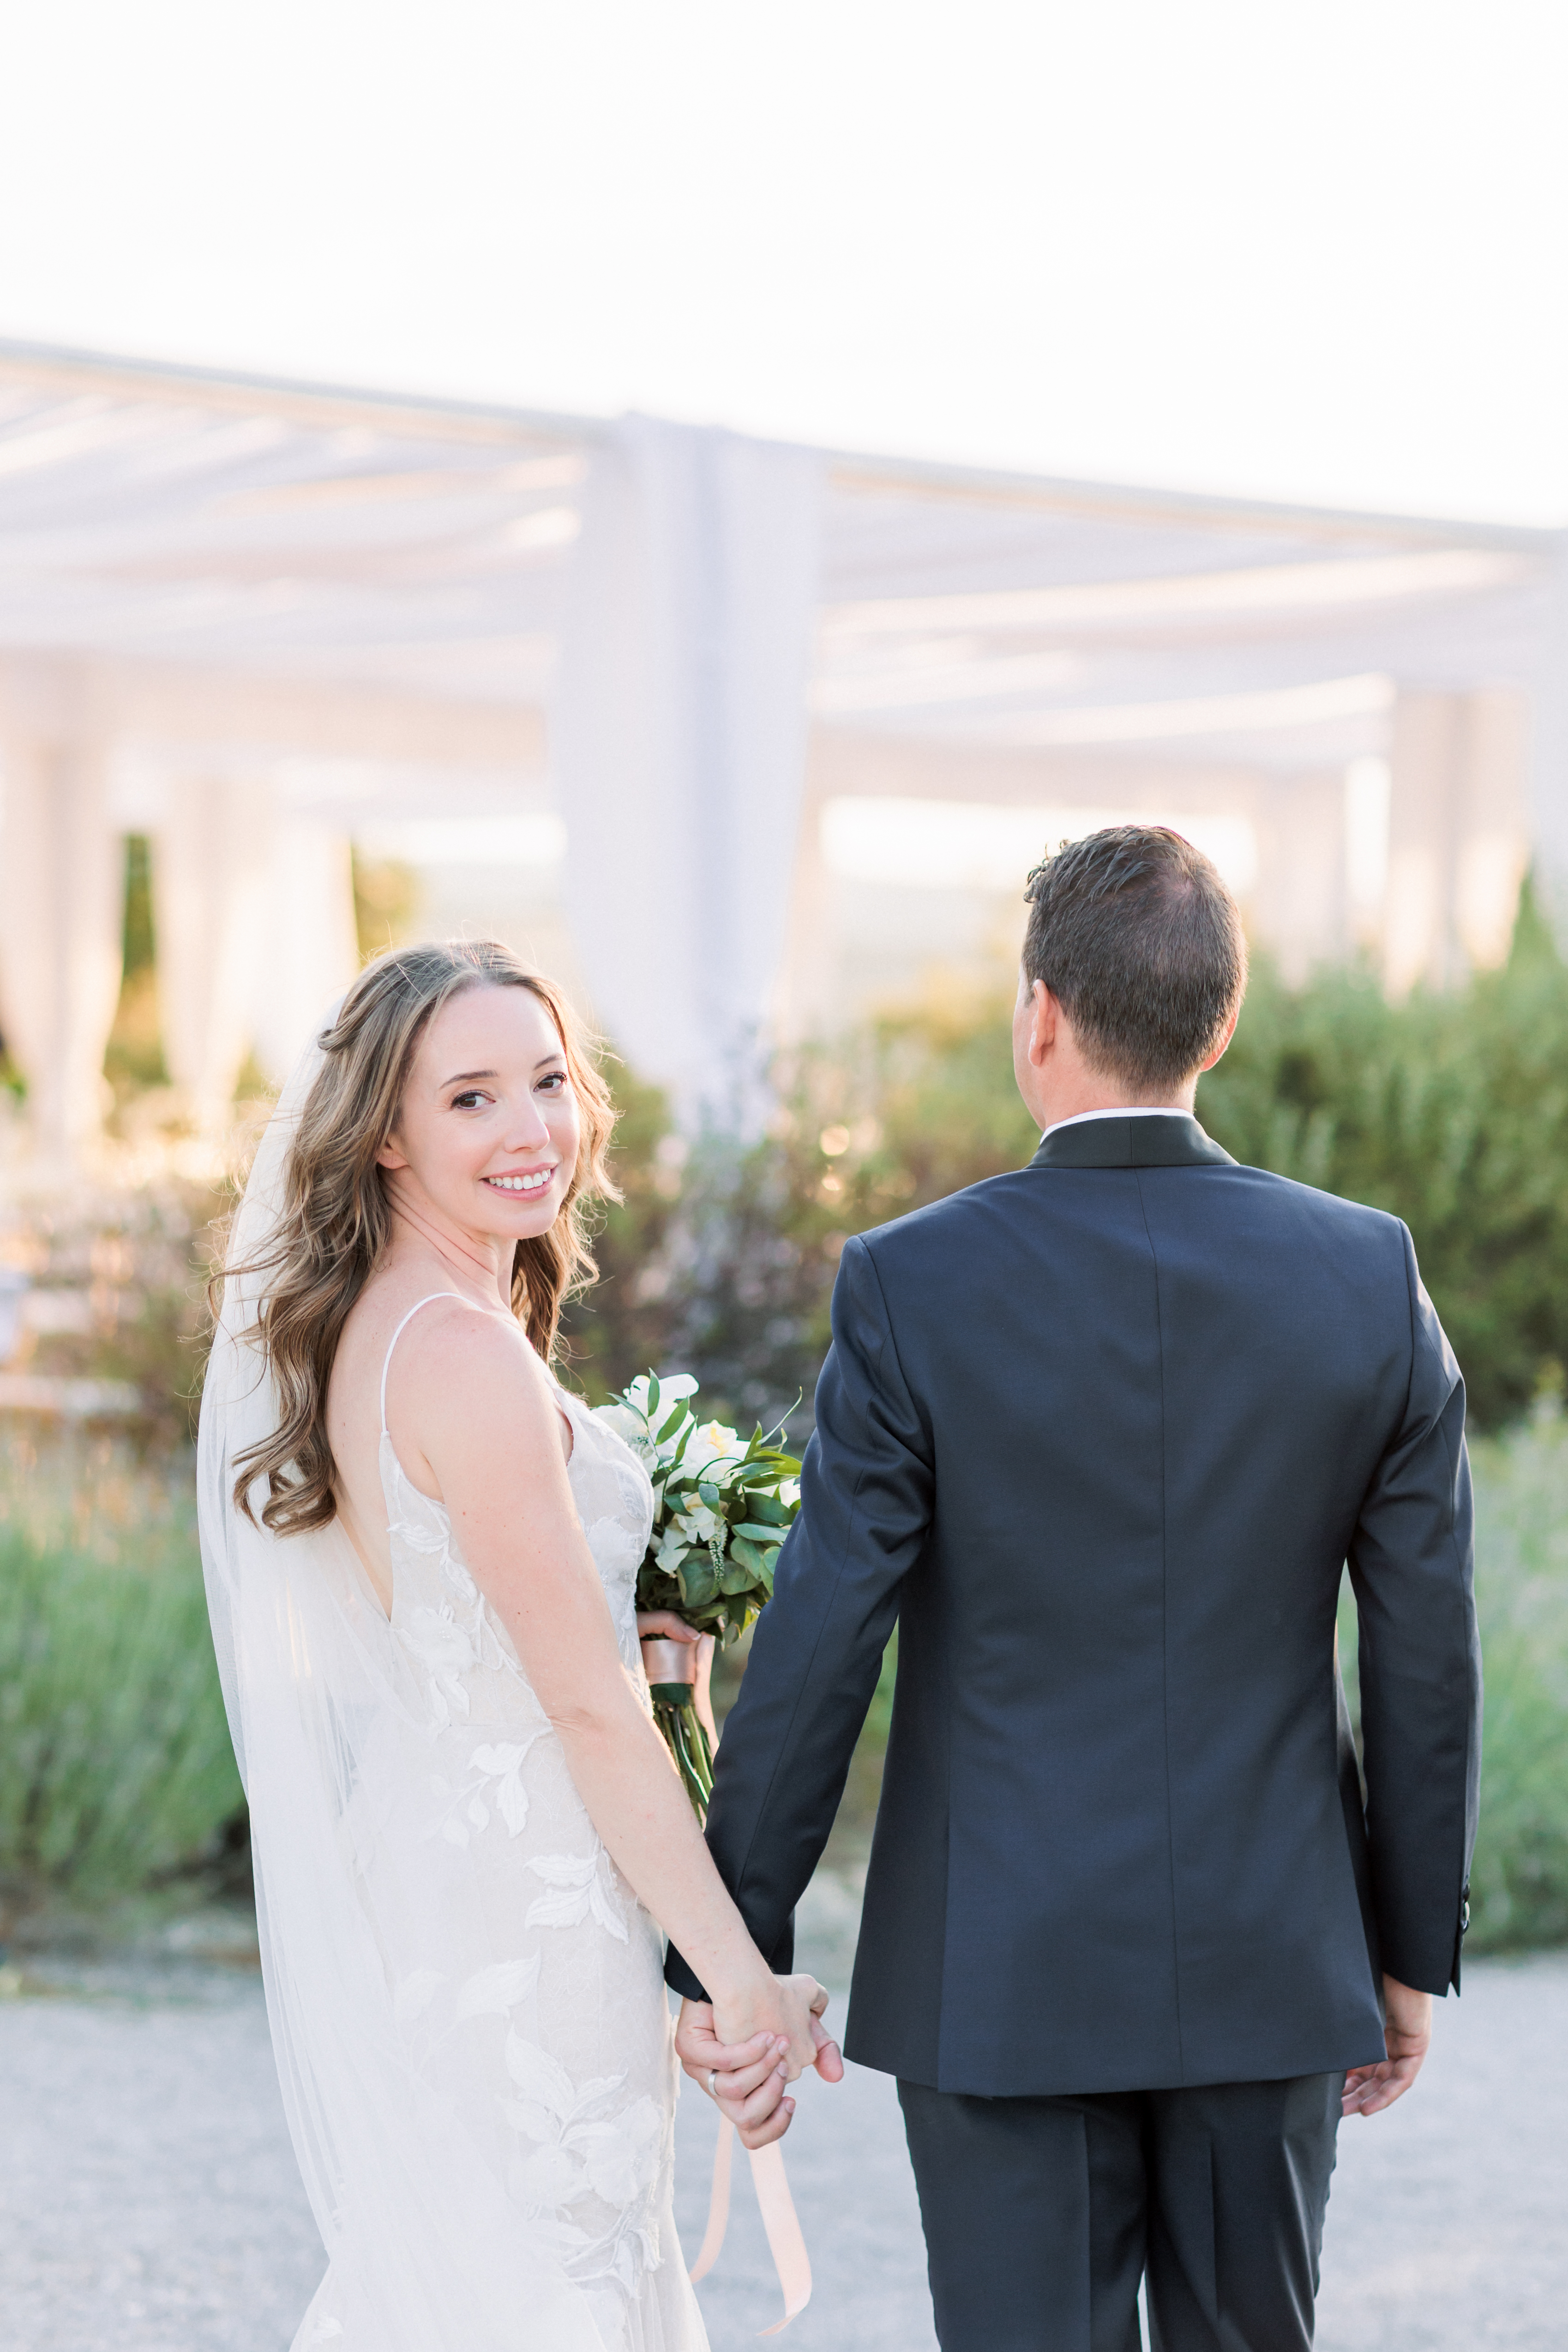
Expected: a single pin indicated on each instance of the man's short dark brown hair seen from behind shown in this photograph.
(1141, 942)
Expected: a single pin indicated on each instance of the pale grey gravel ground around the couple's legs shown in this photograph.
(149, 2198)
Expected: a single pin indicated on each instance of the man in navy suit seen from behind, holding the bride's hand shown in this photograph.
(1101, 1438)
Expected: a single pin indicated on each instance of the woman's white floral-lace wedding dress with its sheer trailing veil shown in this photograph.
(467, 1998)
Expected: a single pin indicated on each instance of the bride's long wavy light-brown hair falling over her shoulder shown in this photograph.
(337, 1222)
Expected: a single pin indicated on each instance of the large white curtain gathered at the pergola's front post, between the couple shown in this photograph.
(681, 737)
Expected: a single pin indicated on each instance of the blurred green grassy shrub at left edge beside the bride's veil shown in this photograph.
(114, 1751)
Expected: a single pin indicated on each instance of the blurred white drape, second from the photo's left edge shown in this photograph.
(210, 909)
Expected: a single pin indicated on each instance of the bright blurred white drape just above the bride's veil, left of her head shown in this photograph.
(309, 940)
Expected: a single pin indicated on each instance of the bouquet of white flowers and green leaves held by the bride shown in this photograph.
(721, 1511)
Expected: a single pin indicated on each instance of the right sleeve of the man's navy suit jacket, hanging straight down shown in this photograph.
(1412, 1568)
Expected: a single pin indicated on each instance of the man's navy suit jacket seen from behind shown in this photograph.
(1101, 1438)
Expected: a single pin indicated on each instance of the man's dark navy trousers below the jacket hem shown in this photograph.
(1043, 2214)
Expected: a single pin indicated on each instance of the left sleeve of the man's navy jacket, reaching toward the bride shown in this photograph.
(817, 1652)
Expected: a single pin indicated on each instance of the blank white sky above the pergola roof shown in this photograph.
(1304, 250)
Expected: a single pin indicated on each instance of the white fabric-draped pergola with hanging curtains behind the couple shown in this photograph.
(257, 620)
